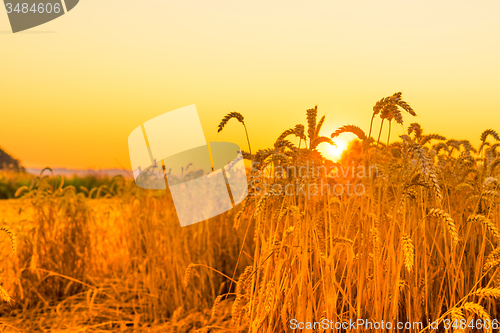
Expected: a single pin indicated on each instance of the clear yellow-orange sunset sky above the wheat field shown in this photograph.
(72, 90)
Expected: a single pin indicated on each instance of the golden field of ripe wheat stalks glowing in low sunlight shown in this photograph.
(395, 232)
